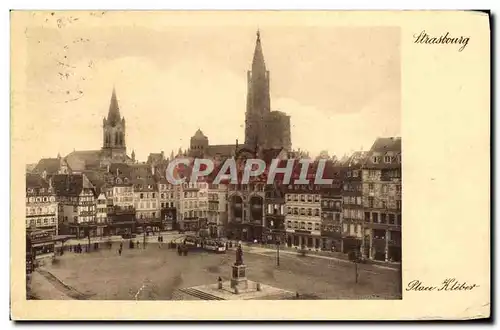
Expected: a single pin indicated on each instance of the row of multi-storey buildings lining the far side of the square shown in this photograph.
(360, 209)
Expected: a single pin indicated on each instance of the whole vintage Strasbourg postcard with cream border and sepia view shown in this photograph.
(284, 165)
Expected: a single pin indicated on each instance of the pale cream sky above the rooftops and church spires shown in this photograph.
(340, 85)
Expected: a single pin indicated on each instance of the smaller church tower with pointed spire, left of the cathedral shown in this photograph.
(113, 128)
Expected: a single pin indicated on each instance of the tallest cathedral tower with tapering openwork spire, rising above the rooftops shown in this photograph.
(258, 98)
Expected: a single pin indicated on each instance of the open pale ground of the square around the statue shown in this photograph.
(156, 273)
